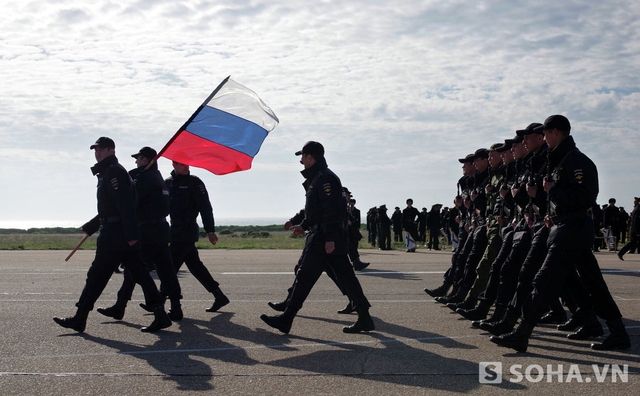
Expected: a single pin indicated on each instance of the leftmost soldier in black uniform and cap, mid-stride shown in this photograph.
(117, 242)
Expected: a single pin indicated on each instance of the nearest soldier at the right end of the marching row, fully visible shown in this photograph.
(572, 188)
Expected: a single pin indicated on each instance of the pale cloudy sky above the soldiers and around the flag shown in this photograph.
(395, 90)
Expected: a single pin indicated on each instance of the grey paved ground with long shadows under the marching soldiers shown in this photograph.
(419, 346)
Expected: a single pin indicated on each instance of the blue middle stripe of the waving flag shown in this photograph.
(228, 130)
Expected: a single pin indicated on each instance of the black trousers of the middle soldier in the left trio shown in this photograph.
(160, 256)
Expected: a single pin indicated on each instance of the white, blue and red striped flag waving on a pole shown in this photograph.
(225, 133)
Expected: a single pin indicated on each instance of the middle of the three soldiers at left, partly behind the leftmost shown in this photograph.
(153, 209)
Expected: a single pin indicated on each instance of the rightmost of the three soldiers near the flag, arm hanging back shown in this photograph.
(188, 198)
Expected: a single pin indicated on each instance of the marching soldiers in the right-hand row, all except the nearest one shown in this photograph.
(503, 244)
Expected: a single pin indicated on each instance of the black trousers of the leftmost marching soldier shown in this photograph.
(103, 266)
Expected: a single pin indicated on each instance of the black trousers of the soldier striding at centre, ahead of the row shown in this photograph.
(313, 262)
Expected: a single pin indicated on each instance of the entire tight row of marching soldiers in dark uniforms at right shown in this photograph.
(525, 241)
